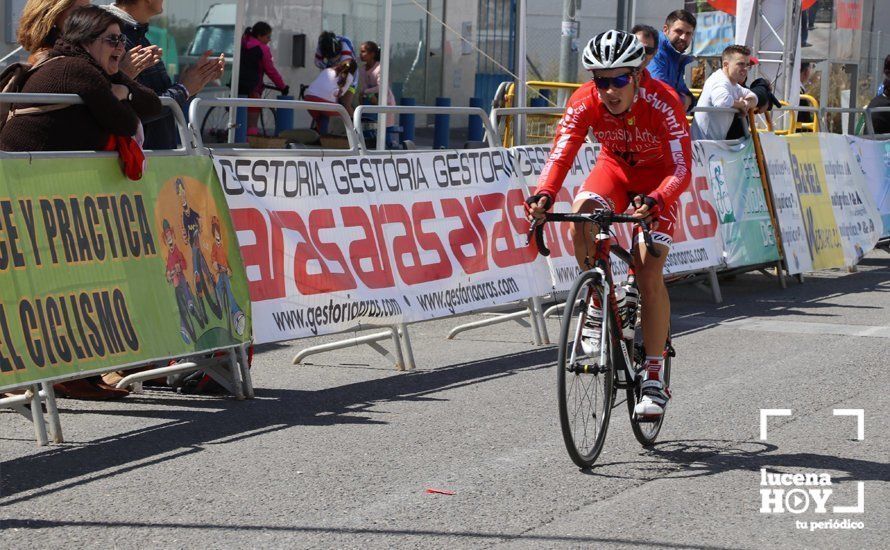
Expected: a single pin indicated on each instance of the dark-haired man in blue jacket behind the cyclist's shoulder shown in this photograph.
(670, 62)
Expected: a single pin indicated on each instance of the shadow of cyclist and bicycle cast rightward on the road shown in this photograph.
(691, 458)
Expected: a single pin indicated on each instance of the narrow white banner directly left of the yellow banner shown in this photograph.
(787, 203)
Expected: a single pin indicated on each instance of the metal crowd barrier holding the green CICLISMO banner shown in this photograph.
(231, 371)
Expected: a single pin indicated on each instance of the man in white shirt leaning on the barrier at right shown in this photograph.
(724, 89)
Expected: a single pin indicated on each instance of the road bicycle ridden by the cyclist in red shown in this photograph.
(587, 386)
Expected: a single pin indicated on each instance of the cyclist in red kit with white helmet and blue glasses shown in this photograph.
(645, 161)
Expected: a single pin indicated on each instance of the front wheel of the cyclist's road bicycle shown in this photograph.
(584, 383)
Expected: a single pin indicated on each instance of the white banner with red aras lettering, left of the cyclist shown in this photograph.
(330, 244)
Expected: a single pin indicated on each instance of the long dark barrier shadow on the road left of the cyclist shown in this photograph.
(203, 423)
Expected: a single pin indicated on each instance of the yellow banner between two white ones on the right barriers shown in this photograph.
(808, 171)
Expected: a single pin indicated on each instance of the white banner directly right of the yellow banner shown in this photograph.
(858, 220)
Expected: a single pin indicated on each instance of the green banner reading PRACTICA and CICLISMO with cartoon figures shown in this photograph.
(99, 272)
